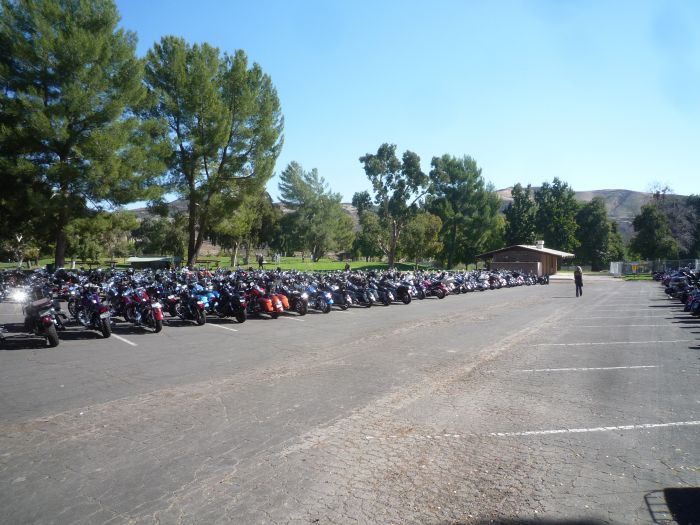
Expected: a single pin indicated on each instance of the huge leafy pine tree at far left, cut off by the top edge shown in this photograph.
(71, 101)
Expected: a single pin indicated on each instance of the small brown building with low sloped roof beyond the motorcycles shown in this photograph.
(527, 258)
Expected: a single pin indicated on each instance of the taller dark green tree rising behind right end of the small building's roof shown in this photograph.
(555, 218)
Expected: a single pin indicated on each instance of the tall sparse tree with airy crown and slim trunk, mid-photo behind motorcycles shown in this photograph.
(398, 185)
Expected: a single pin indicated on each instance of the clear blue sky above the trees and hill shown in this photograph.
(604, 95)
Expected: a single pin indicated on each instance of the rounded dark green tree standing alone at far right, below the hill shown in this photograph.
(653, 239)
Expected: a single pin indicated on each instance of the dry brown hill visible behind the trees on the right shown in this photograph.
(622, 205)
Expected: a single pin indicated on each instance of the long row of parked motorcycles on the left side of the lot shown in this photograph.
(95, 299)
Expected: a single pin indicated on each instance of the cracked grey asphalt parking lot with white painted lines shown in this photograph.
(510, 405)
